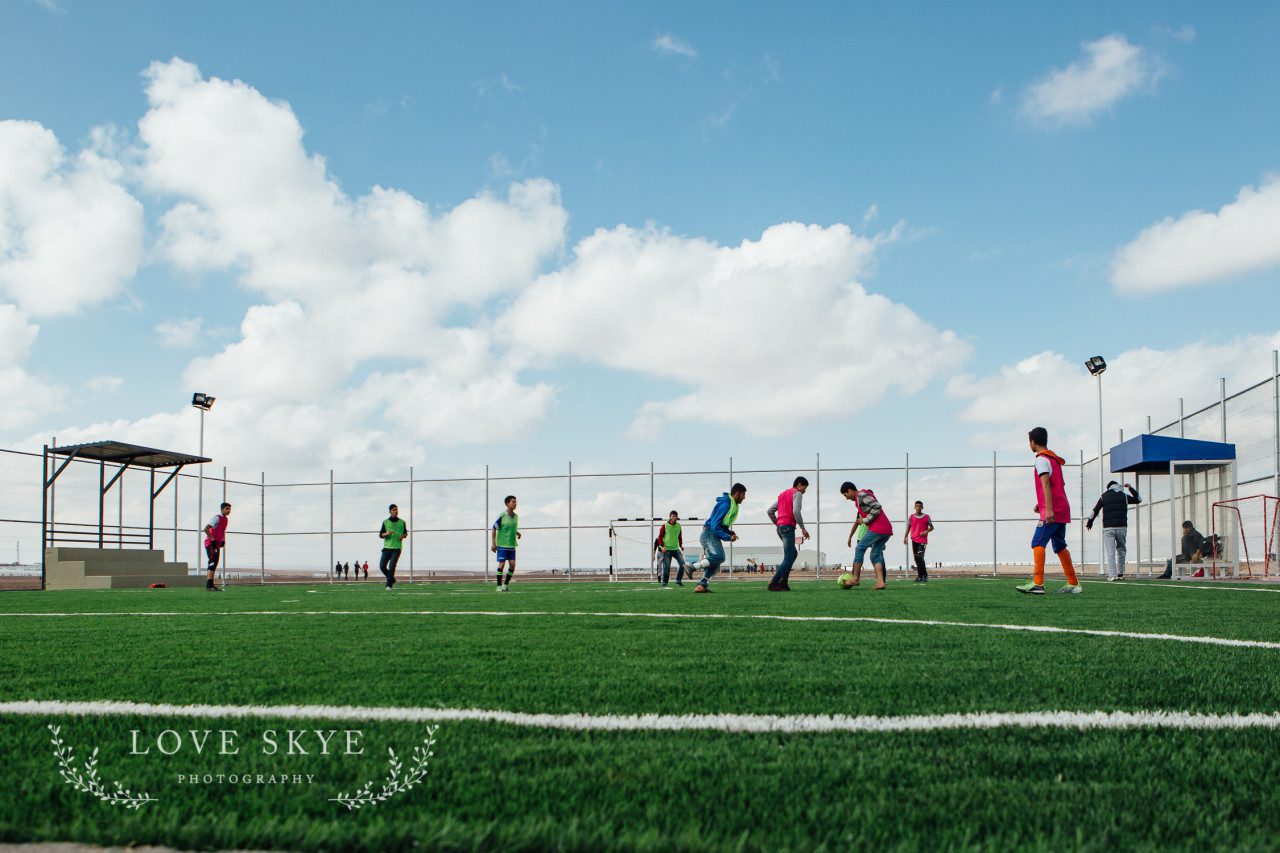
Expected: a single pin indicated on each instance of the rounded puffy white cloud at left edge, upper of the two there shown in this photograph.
(70, 234)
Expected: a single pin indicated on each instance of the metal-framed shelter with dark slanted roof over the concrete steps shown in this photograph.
(108, 453)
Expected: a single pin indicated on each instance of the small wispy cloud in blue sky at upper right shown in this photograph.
(1112, 70)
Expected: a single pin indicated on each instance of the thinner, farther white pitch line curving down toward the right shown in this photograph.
(877, 621)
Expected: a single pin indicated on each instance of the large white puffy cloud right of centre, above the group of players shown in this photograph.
(772, 326)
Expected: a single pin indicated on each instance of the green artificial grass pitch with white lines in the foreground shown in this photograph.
(597, 650)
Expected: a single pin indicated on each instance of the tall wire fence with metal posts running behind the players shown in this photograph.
(589, 524)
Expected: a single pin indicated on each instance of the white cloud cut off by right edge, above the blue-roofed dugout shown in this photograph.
(1200, 247)
